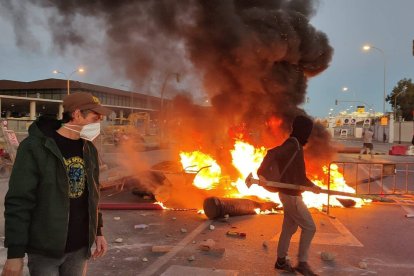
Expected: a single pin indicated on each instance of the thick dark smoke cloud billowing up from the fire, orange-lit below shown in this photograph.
(253, 58)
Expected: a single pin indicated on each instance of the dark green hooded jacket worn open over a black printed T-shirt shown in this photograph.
(37, 202)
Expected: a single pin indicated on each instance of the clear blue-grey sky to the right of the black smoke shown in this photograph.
(350, 24)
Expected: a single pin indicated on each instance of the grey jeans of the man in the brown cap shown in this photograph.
(71, 264)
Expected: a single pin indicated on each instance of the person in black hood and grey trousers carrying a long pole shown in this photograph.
(296, 213)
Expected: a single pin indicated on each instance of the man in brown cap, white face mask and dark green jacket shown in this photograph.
(51, 207)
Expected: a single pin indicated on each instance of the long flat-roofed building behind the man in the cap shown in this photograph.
(23, 102)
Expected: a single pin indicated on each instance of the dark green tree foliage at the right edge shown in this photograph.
(402, 99)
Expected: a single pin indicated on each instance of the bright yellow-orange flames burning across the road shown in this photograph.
(246, 159)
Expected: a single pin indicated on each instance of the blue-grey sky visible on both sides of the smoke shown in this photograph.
(349, 24)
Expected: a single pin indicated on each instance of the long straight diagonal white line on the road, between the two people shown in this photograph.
(155, 266)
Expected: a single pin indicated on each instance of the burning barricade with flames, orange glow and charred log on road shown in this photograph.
(198, 182)
